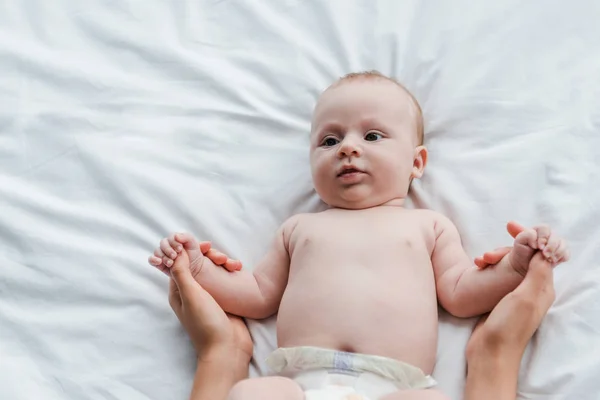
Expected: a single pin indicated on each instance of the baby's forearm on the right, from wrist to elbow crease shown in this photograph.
(475, 292)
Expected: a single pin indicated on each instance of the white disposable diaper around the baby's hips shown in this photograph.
(326, 374)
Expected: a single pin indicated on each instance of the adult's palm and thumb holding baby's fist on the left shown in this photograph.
(212, 331)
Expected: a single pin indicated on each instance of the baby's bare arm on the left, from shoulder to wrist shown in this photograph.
(252, 294)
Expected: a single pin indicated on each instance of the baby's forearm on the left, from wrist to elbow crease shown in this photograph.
(237, 293)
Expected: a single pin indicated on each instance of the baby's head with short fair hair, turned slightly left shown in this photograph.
(366, 142)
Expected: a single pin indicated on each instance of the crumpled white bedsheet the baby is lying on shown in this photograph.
(121, 121)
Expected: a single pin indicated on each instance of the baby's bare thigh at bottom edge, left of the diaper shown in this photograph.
(271, 387)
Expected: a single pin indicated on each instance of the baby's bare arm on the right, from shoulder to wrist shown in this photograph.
(463, 289)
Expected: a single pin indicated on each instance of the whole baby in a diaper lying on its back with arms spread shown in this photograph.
(357, 287)
